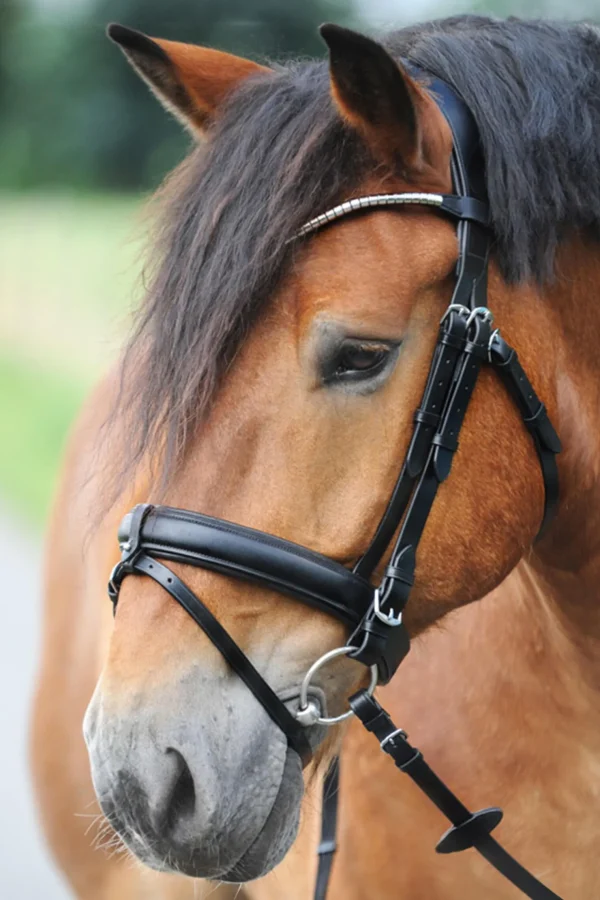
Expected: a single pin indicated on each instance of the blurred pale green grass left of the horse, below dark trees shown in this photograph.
(68, 272)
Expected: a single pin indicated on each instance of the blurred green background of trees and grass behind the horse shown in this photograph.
(82, 144)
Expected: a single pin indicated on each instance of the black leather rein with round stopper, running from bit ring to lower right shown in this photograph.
(469, 830)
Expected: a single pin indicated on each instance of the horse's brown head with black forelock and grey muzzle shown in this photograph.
(273, 381)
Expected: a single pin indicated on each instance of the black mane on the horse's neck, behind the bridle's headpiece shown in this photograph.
(534, 90)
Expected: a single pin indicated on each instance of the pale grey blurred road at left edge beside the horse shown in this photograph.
(26, 871)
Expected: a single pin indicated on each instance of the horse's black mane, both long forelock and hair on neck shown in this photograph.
(280, 155)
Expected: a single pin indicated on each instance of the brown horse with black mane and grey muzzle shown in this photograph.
(271, 381)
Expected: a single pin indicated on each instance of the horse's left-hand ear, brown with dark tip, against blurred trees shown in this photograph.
(190, 81)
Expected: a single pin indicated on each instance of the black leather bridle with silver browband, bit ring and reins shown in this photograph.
(373, 615)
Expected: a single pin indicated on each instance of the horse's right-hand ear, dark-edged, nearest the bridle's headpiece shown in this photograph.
(375, 95)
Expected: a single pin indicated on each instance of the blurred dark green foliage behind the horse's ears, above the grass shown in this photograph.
(72, 112)
